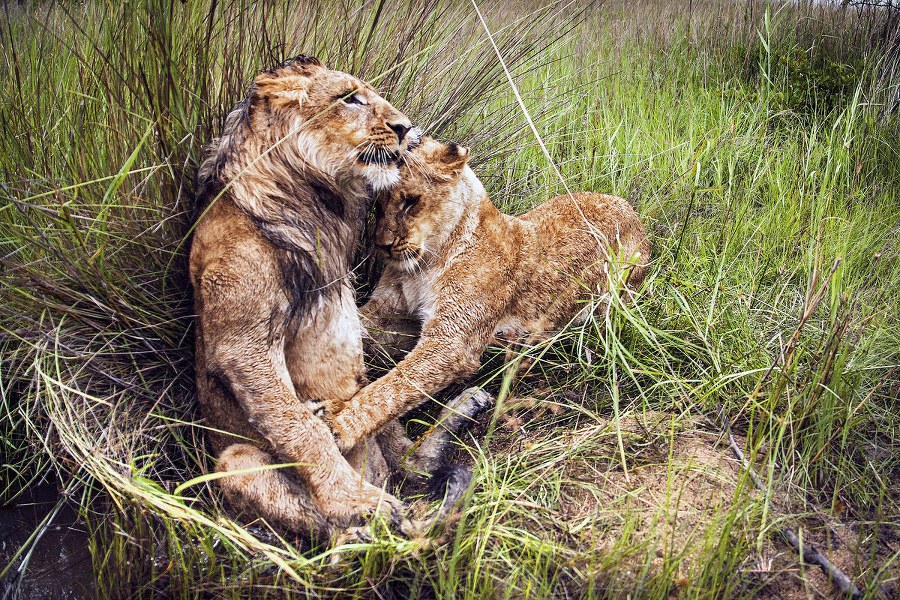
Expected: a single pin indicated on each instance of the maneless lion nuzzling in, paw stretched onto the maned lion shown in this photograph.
(470, 273)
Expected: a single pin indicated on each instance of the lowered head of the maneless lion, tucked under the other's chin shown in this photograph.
(417, 216)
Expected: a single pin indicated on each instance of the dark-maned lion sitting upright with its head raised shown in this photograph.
(284, 192)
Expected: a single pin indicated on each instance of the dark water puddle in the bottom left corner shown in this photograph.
(58, 566)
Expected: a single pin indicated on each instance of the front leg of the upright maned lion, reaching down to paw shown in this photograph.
(245, 350)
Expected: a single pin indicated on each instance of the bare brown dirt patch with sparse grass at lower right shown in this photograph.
(680, 493)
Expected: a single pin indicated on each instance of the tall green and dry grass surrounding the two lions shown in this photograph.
(759, 143)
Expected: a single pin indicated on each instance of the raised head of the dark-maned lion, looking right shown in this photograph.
(337, 123)
